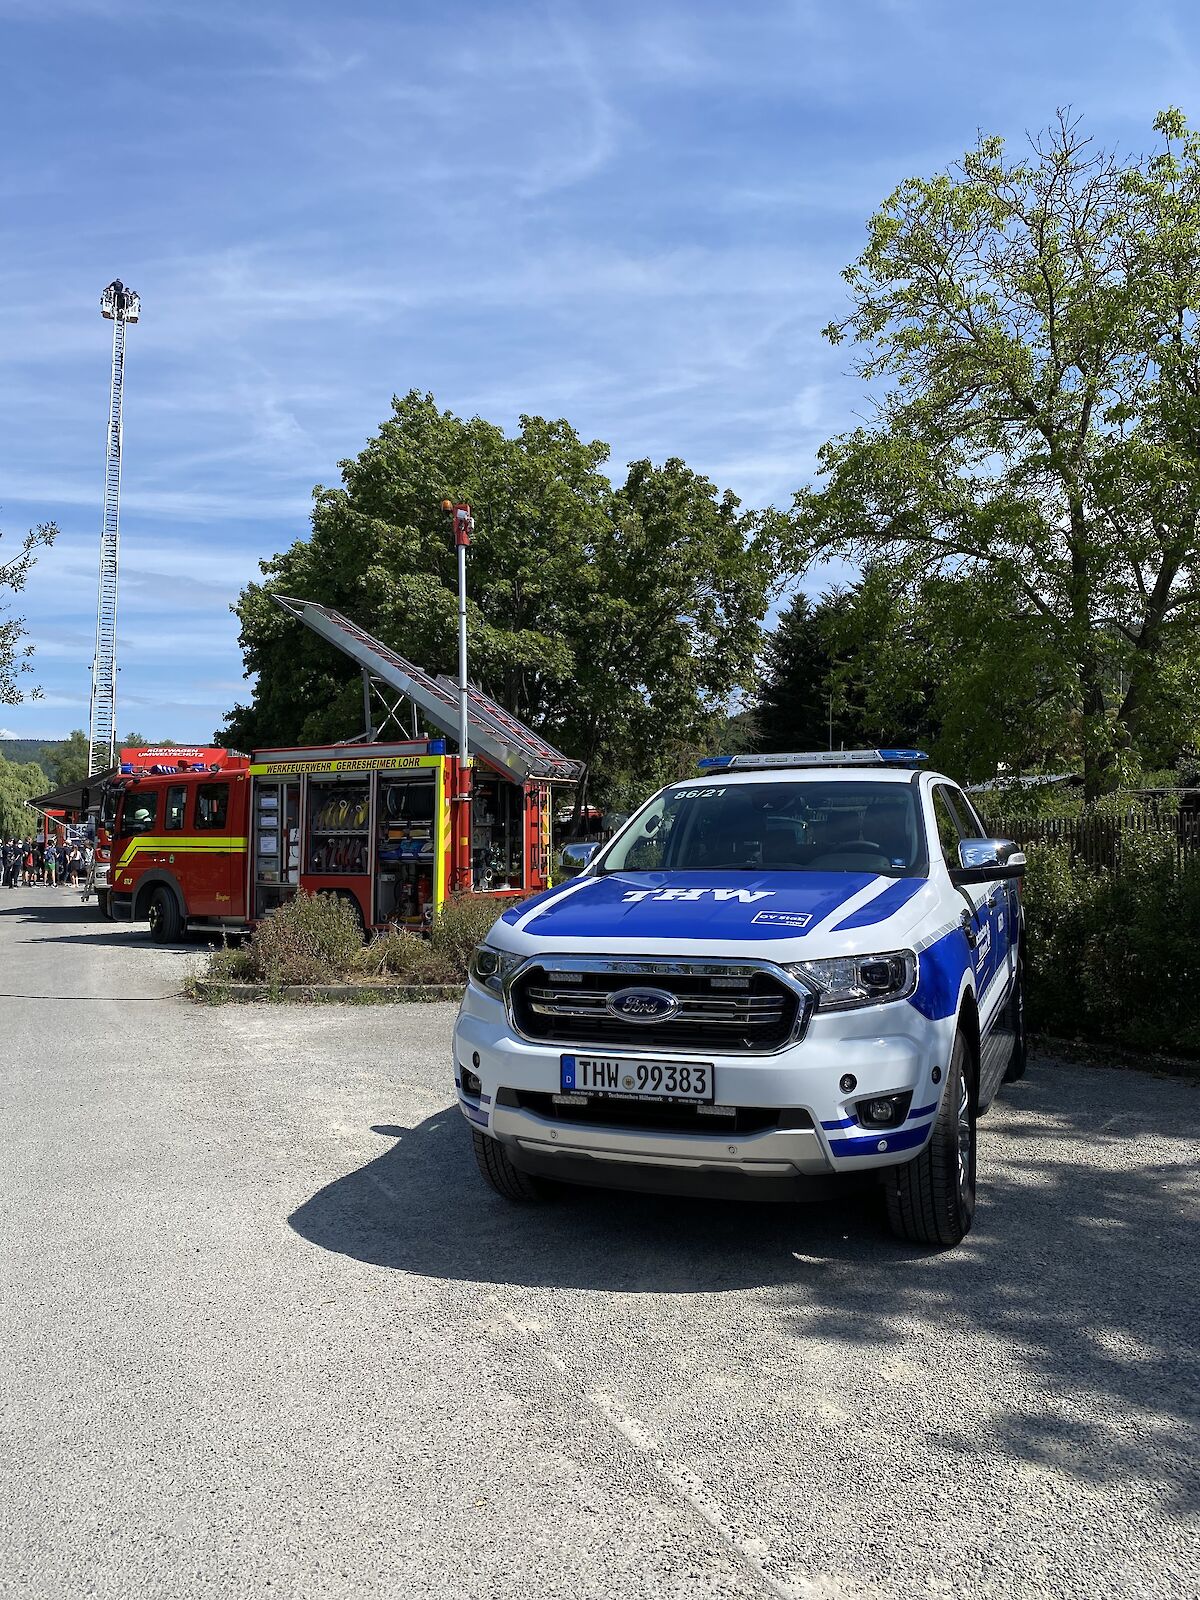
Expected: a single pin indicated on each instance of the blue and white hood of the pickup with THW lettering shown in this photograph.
(785, 916)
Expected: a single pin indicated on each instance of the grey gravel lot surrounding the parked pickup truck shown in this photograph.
(265, 1334)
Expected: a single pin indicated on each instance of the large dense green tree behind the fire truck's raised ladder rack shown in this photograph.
(614, 620)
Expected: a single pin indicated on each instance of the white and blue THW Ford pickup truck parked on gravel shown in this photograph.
(785, 974)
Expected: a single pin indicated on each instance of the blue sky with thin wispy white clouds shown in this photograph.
(631, 215)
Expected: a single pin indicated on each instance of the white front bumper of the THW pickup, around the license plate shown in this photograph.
(886, 1050)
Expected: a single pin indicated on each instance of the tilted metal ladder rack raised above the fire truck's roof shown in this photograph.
(502, 737)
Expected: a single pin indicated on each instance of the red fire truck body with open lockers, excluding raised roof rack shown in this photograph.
(369, 823)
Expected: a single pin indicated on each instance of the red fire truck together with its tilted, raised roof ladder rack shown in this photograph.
(380, 825)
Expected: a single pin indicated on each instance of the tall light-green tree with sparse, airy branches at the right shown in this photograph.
(1034, 327)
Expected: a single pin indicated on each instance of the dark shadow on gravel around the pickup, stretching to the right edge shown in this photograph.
(1081, 1270)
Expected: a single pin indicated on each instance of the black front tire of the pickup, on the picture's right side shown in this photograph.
(932, 1201)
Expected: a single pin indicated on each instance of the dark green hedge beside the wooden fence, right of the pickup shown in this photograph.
(1116, 958)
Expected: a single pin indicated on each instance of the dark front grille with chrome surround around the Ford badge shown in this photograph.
(719, 1007)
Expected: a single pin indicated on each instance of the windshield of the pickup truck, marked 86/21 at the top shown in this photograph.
(804, 826)
